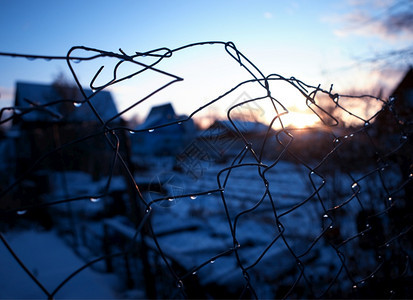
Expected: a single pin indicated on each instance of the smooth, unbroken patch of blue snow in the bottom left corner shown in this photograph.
(51, 261)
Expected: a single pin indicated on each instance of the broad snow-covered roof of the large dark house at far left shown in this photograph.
(28, 94)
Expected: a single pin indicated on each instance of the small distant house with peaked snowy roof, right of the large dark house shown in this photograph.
(163, 141)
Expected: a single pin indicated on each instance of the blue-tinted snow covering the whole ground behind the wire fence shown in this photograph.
(195, 220)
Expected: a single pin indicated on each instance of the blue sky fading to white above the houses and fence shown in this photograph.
(315, 41)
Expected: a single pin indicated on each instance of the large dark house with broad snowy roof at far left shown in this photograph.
(50, 119)
